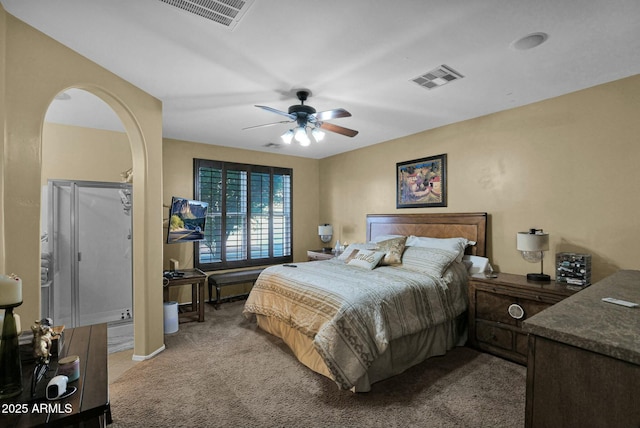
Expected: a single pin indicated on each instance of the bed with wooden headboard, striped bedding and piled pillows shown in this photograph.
(358, 325)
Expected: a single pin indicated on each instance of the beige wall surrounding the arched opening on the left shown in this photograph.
(34, 69)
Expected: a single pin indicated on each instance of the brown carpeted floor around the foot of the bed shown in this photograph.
(227, 373)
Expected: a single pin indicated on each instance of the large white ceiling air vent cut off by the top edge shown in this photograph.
(225, 12)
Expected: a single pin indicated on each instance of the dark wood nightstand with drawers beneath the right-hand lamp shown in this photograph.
(498, 306)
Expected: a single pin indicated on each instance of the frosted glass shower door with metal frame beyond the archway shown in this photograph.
(92, 252)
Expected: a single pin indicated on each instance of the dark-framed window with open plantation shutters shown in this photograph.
(249, 215)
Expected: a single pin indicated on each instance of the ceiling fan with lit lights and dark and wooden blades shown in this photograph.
(307, 119)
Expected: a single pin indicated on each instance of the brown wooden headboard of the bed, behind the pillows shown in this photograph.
(472, 226)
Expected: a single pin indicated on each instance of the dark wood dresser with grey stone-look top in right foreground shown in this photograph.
(584, 358)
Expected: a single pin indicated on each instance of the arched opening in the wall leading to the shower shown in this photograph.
(86, 224)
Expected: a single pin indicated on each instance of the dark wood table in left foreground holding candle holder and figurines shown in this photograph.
(88, 406)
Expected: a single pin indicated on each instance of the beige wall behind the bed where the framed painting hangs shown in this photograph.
(567, 165)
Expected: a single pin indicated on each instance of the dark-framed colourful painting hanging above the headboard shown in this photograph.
(422, 182)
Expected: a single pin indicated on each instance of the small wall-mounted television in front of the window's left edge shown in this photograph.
(186, 220)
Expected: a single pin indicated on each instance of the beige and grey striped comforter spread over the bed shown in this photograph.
(352, 313)
